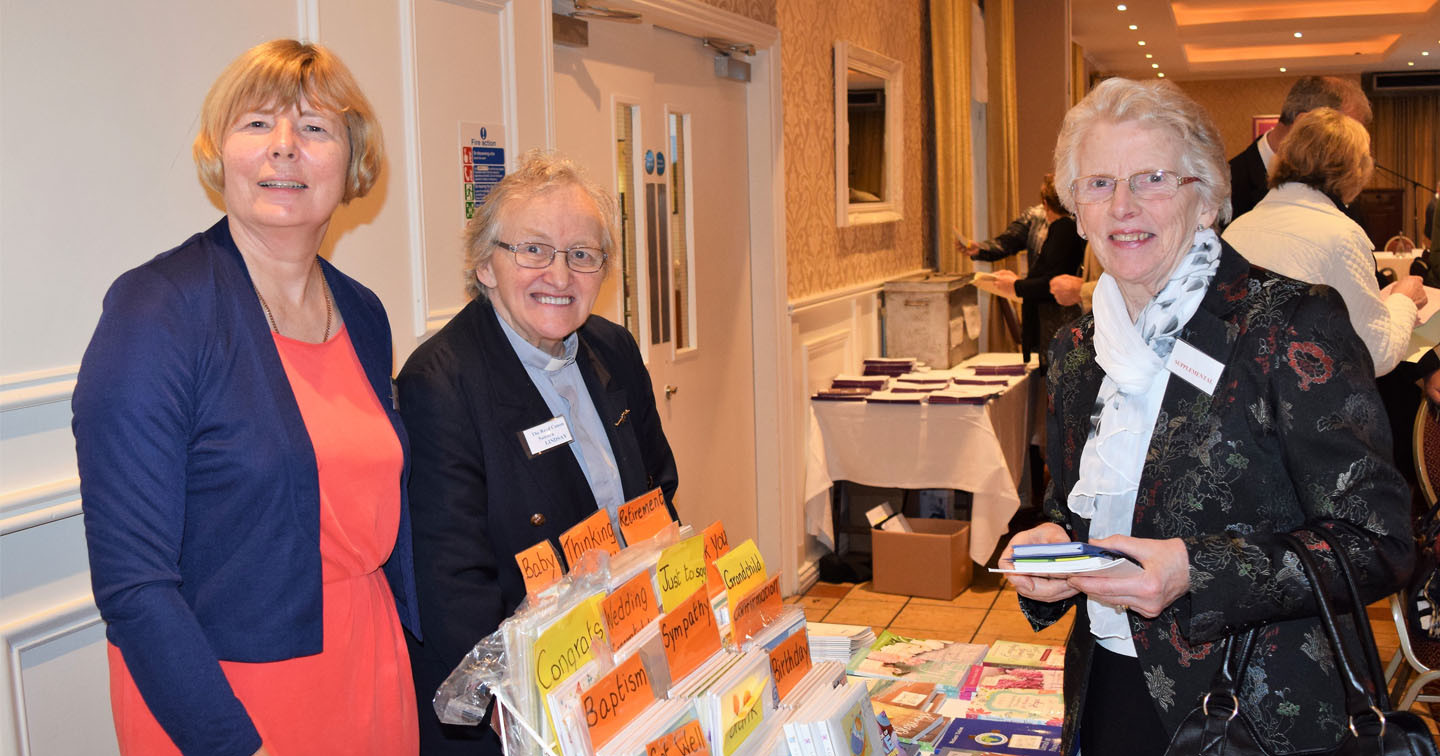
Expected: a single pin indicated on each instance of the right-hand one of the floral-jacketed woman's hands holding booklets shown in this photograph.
(1166, 578)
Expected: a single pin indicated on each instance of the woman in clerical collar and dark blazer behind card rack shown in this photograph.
(525, 355)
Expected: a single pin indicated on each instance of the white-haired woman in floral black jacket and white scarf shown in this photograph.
(1200, 410)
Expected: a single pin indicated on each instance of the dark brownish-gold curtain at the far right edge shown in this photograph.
(1408, 140)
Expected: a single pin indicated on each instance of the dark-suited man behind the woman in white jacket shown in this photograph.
(1251, 169)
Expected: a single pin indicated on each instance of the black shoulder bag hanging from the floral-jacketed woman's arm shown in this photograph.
(1219, 728)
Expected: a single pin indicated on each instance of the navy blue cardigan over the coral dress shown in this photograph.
(199, 485)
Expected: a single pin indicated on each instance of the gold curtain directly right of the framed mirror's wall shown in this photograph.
(954, 169)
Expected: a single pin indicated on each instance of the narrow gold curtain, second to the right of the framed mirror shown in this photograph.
(1003, 126)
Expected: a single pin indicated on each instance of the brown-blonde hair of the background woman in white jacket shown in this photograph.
(1326, 150)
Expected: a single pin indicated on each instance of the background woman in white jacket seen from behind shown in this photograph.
(1300, 231)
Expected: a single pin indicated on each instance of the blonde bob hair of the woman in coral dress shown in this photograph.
(277, 76)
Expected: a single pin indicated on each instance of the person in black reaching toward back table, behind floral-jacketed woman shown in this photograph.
(1062, 254)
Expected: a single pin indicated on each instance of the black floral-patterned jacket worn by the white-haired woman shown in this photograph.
(1292, 437)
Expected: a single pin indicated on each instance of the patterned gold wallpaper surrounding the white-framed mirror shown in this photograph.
(820, 256)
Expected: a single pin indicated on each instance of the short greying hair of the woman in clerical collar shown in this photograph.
(538, 174)
